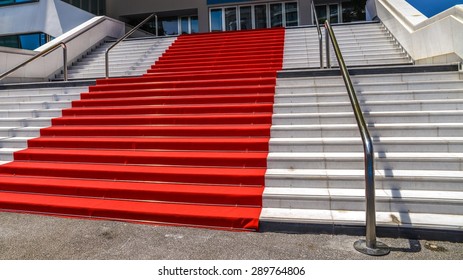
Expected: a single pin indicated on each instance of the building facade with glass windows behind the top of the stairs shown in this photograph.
(173, 17)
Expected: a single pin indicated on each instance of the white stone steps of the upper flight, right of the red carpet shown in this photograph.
(361, 44)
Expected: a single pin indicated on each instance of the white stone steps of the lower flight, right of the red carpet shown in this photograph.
(315, 167)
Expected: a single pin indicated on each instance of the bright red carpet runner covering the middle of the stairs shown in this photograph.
(186, 144)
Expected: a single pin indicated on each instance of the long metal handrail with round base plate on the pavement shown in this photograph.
(369, 246)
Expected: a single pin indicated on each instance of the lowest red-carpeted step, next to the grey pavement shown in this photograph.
(225, 217)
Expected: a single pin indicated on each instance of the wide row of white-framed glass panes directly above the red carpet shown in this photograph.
(254, 16)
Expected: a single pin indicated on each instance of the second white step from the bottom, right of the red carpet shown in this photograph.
(436, 202)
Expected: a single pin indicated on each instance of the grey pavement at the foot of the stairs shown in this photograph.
(40, 237)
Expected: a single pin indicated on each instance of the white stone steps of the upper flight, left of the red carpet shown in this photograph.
(129, 58)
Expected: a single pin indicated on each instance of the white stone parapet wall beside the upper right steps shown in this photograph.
(428, 40)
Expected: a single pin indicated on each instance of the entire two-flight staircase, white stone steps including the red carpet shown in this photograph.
(188, 142)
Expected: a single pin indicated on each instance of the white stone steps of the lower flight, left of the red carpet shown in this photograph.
(23, 112)
